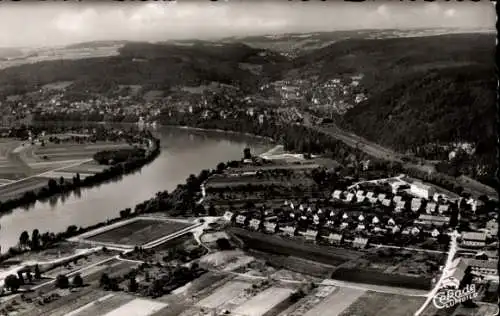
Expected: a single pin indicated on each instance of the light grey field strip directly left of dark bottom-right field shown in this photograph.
(337, 302)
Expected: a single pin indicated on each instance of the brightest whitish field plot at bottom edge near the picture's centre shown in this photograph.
(263, 302)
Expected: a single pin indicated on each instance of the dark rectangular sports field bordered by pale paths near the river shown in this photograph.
(139, 232)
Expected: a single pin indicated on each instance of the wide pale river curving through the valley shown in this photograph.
(184, 152)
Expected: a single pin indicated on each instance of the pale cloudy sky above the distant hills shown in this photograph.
(45, 23)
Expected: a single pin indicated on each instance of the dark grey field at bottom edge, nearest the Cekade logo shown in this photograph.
(382, 304)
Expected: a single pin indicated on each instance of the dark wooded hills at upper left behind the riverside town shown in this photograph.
(155, 66)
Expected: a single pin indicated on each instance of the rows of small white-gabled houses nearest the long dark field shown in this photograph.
(339, 223)
